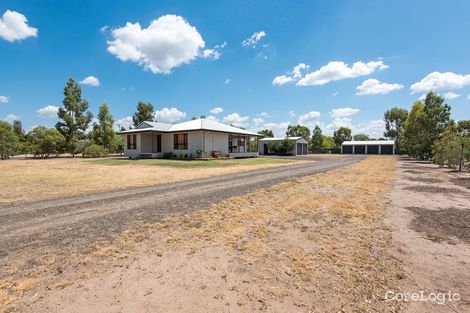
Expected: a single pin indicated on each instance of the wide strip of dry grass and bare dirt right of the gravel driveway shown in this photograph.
(315, 244)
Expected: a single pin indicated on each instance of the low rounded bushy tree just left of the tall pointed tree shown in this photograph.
(46, 141)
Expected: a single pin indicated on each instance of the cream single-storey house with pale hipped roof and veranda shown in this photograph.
(154, 139)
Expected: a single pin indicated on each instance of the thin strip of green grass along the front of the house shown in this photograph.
(190, 163)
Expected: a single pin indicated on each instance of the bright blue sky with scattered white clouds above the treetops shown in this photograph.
(255, 64)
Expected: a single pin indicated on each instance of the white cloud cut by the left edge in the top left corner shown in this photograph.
(14, 26)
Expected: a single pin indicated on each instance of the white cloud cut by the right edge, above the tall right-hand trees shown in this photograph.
(437, 80)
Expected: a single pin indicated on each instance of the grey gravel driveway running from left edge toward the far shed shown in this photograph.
(73, 222)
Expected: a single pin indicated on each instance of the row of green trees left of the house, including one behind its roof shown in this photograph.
(74, 133)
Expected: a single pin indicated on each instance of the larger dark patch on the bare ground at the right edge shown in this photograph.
(442, 225)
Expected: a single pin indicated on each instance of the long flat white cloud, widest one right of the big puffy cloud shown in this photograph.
(338, 70)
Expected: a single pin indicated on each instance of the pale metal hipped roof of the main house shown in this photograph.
(193, 125)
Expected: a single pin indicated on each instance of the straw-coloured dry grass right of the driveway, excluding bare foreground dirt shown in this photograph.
(317, 239)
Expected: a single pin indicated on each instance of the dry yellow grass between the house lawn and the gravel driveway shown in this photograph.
(27, 180)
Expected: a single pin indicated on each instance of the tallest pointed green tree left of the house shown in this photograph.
(73, 115)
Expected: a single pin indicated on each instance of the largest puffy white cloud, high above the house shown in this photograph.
(169, 41)
